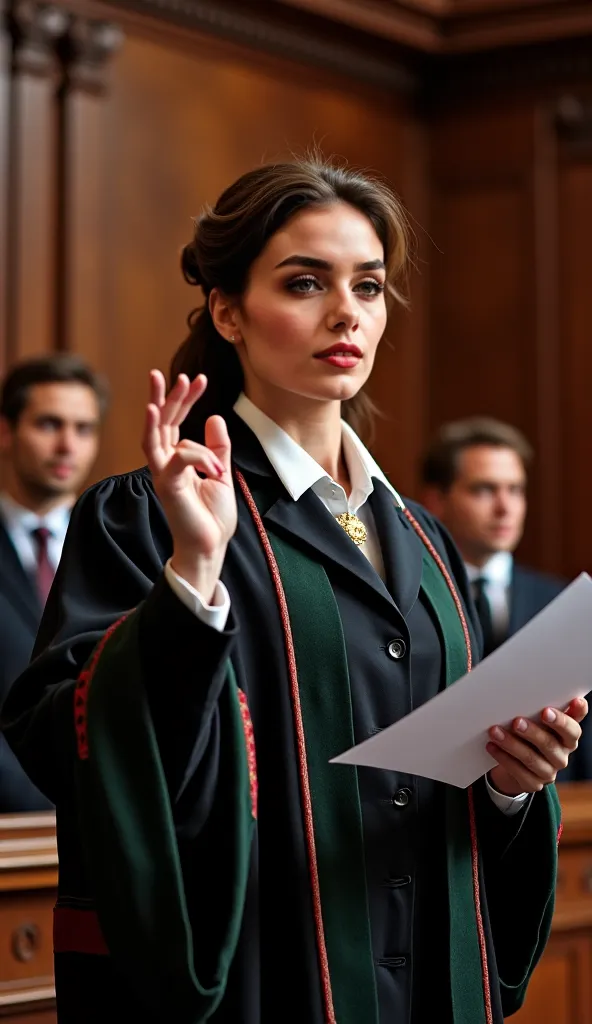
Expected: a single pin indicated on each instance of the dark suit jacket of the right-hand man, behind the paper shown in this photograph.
(530, 593)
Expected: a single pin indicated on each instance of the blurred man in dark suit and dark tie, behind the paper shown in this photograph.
(475, 481)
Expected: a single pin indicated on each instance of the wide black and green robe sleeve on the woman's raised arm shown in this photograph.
(131, 720)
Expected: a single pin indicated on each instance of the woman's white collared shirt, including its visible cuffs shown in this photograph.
(300, 473)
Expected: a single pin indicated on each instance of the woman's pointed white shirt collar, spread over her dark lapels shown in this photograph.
(299, 472)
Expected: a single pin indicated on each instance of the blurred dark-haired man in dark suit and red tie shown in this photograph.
(51, 413)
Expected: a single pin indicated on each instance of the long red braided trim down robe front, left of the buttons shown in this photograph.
(304, 772)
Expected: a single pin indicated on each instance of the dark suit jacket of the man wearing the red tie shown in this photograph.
(20, 617)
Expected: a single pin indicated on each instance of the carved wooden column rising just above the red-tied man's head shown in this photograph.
(82, 259)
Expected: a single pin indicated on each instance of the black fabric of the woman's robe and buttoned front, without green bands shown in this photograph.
(113, 561)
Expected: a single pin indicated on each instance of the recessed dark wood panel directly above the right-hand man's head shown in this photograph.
(480, 326)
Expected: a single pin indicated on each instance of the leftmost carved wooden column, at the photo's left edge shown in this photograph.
(28, 309)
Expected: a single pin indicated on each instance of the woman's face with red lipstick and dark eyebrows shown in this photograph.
(314, 312)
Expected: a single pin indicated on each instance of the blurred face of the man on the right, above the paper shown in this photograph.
(485, 509)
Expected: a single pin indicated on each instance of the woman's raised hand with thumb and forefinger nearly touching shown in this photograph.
(201, 514)
